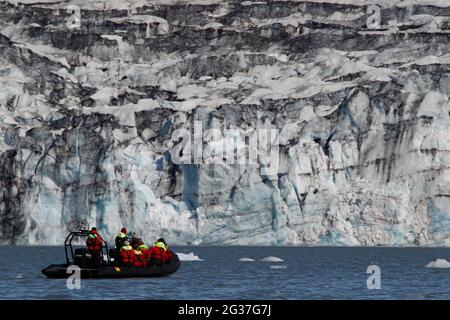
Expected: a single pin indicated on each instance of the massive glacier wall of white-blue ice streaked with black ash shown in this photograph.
(87, 114)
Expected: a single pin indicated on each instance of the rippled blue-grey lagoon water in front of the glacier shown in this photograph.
(306, 273)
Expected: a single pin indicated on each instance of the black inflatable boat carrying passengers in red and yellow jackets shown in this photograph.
(103, 266)
